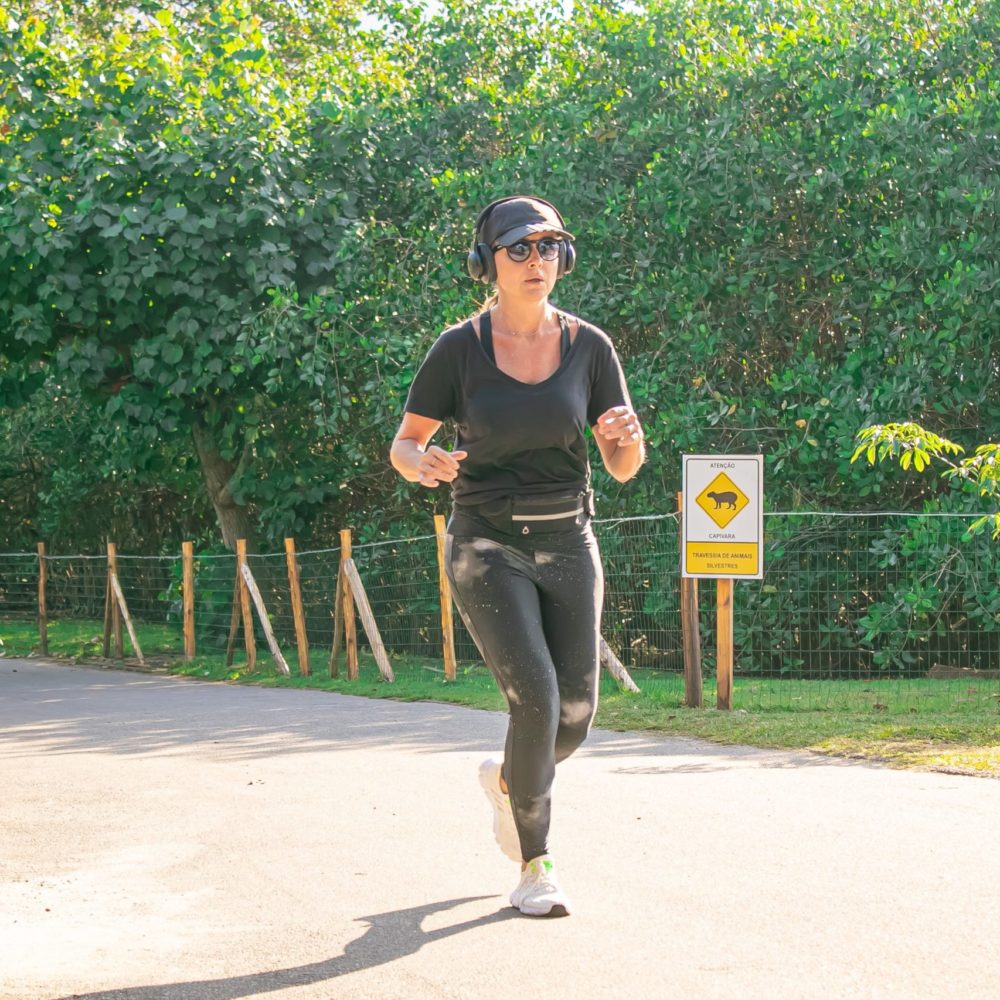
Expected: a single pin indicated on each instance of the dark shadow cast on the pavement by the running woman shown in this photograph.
(389, 936)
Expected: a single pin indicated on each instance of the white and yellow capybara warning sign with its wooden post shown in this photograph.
(723, 539)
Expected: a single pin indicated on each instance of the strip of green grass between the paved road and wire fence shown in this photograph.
(940, 724)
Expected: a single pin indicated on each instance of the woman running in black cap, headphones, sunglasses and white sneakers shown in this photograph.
(522, 381)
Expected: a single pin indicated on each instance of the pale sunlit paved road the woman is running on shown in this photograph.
(162, 838)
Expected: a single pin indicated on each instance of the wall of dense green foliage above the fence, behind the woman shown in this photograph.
(245, 227)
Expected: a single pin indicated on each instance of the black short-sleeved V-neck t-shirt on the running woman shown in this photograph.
(522, 439)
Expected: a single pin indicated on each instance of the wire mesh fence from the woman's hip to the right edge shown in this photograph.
(885, 612)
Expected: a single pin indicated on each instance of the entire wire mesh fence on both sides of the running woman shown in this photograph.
(885, 612)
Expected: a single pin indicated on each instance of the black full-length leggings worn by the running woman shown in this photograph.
(533, 609)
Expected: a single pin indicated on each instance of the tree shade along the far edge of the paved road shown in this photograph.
(65, 711)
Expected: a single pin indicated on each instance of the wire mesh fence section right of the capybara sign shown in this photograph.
(880, 611)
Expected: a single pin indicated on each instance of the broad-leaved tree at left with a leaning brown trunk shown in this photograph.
(158, 185)
